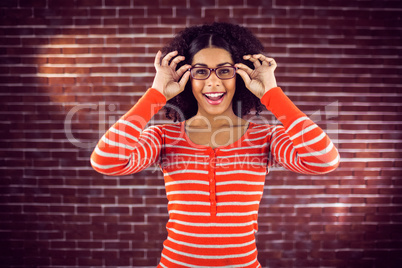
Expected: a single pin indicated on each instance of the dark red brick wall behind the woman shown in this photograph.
(71, 68)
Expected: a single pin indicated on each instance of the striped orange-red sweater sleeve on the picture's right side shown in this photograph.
(300, 145)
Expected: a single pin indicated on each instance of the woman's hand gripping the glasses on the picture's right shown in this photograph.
(260, 79)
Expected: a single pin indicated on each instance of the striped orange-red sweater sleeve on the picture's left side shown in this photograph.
(126, 147)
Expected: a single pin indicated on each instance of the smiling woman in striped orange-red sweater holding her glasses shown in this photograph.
(214, 162)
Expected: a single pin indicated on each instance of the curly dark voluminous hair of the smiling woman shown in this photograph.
(235, 39)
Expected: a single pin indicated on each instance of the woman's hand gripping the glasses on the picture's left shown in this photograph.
(167, 80)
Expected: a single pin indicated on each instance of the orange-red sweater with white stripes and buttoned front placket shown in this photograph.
(213, 194)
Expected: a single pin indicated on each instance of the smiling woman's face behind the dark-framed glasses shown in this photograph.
(214, 95)
